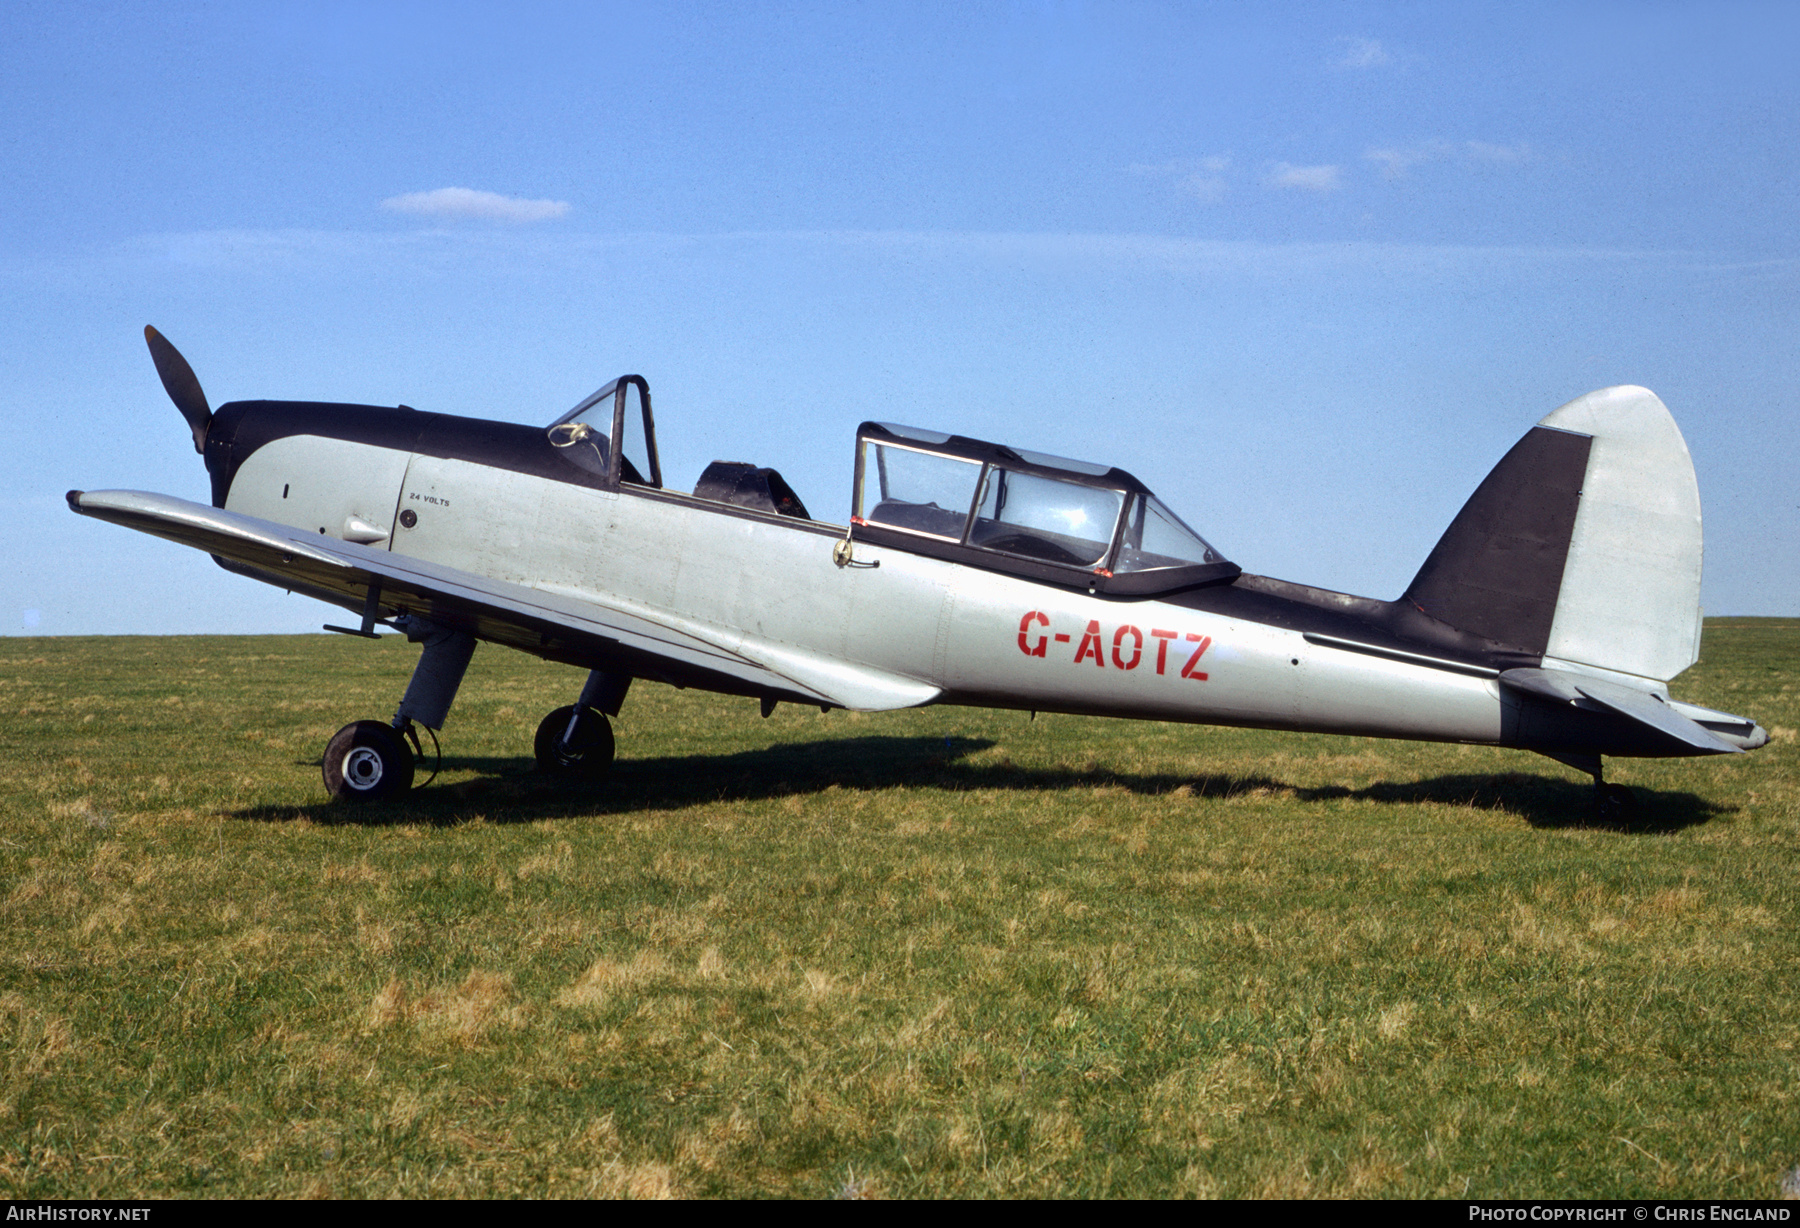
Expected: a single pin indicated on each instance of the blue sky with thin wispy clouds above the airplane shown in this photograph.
(1308, 271)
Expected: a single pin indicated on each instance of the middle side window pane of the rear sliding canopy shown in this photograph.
(1041, 518)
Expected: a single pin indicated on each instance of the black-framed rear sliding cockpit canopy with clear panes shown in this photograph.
(1023, 512)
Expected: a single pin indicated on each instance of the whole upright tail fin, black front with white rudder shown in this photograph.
(1583, 545)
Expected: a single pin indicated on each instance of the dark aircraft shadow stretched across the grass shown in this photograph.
(508, 790)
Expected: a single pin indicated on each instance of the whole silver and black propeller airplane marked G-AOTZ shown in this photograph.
(1551, 617)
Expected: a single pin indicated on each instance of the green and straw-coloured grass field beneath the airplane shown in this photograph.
(931, 953)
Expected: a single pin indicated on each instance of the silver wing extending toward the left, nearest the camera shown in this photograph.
(582, 629)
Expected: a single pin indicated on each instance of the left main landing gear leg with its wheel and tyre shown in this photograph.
(370, 761)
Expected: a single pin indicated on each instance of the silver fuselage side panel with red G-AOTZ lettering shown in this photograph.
(771, 584)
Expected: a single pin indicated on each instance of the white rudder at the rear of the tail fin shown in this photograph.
(1630, 597)
